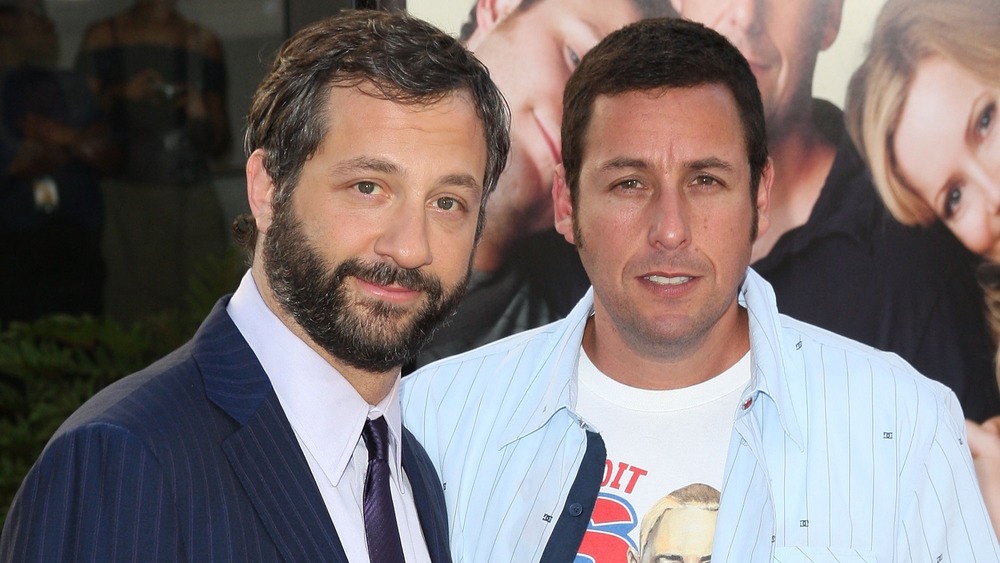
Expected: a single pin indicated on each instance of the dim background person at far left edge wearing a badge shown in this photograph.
(54, 141)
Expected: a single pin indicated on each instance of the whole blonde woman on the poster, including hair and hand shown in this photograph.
(922, 108)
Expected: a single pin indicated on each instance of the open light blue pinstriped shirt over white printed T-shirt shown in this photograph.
(843, 453)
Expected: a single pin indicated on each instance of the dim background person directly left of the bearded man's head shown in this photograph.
(161, 78)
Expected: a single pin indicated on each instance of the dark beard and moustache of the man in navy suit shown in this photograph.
(370, 335)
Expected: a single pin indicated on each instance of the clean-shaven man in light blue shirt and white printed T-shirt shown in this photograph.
(676, 368)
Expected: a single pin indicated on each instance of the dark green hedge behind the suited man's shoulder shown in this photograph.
(49, 367)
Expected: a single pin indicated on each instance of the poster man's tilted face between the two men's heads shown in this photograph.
(530, 54)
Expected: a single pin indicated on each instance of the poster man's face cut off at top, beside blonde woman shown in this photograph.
(780, 39)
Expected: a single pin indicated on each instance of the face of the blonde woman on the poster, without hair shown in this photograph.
(947, 149)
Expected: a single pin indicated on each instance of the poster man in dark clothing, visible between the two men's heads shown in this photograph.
(524, 274)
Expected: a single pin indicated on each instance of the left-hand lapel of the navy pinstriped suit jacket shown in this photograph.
(263, 452)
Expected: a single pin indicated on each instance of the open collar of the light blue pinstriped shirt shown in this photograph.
(552, 385)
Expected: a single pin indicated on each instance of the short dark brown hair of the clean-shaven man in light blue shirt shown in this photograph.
(655, 54)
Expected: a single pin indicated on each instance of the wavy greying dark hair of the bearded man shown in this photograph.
(402, 59)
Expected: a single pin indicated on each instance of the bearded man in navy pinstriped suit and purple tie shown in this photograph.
(275, 433)
